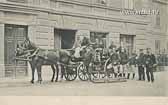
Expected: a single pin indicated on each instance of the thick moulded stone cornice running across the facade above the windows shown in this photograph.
(34, 10)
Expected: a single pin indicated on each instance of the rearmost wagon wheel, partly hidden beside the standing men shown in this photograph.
(108, 69)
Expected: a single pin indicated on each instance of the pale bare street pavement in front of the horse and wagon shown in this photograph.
(80, 88)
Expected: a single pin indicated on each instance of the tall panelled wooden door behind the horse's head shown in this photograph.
(14, 34)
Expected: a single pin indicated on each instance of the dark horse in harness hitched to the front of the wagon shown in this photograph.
(39, 57)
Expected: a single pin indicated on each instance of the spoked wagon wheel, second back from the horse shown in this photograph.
(82, 72)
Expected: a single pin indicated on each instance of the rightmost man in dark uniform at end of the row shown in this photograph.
(150, 63)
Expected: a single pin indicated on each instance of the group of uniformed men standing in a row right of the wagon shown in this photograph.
(135, 62)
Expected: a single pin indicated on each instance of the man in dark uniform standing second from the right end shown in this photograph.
(140, 63)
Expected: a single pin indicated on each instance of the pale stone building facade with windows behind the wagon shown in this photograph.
(56, 24)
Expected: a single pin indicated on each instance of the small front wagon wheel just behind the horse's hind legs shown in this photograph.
(70, 73)
